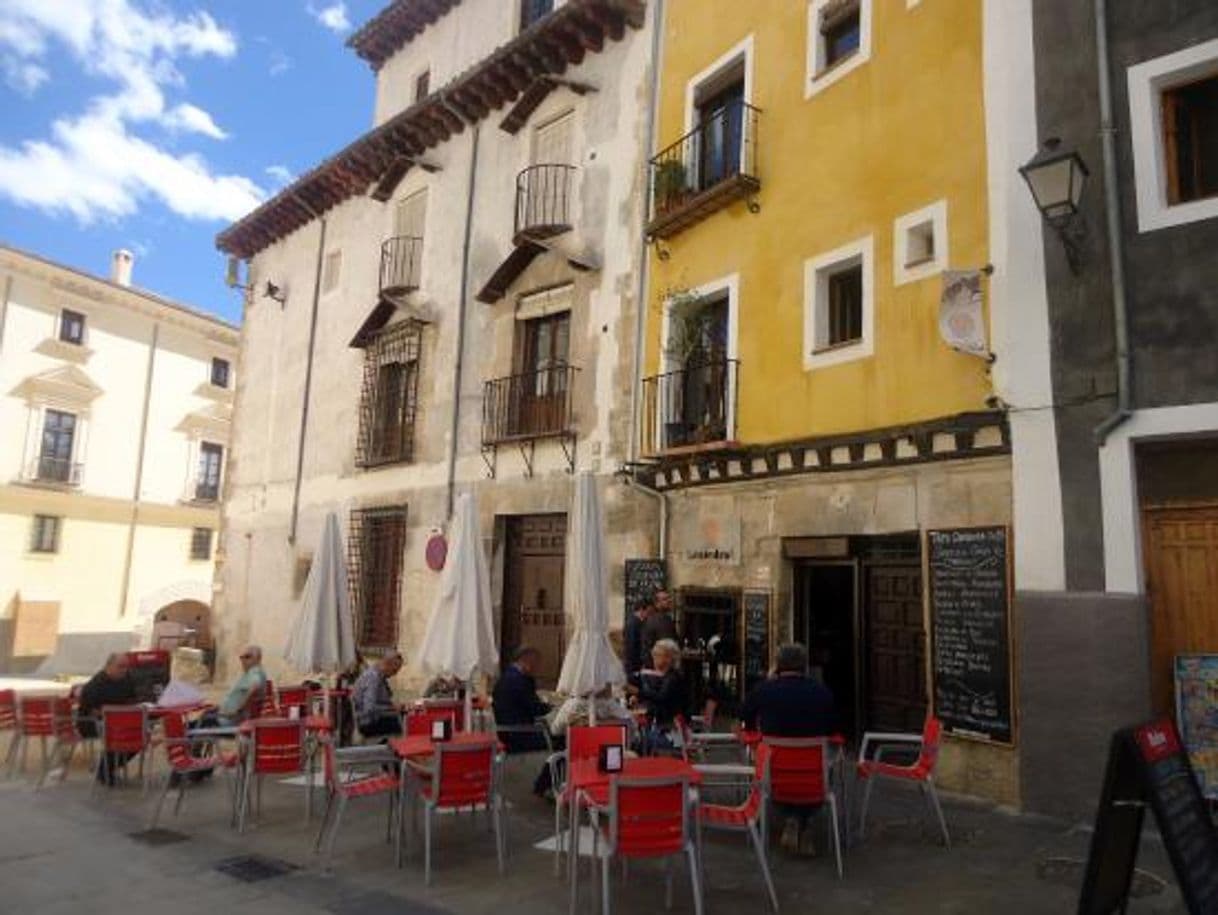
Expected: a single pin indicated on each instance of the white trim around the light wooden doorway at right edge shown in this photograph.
(1119, 486)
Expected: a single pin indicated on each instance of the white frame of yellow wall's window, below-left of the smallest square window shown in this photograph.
(817, 275)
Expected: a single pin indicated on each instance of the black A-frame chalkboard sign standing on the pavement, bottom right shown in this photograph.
(1149, 766)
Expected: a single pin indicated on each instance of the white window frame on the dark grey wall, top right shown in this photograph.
(1147, 83)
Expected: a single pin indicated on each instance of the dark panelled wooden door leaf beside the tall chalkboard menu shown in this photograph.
(896, 649)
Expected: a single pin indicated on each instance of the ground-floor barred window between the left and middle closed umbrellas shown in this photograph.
(376, 551)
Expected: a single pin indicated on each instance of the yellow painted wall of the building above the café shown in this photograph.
(898, 133)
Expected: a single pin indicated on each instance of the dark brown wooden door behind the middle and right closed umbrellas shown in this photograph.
(533, 592)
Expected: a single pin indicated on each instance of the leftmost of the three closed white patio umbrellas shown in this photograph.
(323, 638)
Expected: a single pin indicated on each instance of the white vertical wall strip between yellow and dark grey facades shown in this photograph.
(1019, 303)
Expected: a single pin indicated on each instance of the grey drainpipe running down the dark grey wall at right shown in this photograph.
(1116, 246)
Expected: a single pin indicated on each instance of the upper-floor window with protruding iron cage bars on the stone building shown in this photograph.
(389, 399)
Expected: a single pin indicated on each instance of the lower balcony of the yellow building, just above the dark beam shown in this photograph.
(692, 409)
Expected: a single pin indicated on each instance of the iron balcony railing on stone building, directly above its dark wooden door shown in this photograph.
(533, 405)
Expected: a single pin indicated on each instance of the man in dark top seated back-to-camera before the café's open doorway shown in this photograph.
(791, 705)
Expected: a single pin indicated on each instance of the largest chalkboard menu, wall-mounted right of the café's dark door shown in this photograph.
(970, 628)
